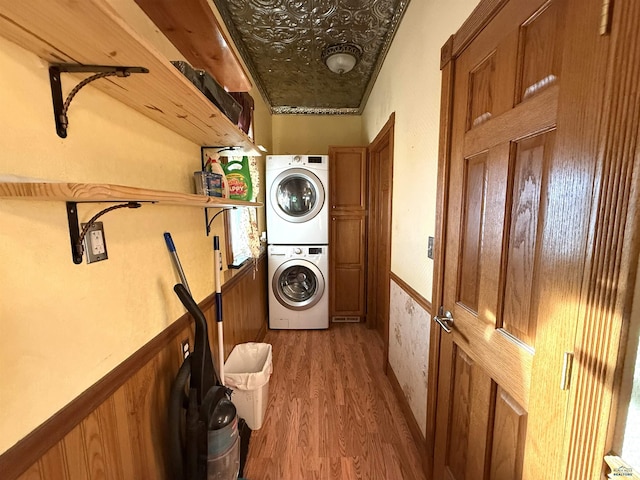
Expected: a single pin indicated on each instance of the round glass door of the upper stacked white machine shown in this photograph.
(297, 195)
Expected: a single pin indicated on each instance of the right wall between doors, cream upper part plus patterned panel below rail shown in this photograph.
(409, 85)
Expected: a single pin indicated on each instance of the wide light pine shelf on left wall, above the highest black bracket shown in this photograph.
(90, 32)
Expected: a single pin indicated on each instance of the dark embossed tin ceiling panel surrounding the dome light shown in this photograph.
(281, 42)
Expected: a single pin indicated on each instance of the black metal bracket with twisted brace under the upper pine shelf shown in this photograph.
(60, 107)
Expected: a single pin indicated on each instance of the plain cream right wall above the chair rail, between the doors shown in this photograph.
(409, 85)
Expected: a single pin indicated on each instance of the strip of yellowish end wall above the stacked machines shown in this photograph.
(312, 134)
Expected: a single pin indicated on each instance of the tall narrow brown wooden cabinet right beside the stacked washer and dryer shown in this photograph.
(347, 233)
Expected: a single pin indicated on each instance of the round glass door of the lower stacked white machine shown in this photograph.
(298, 284)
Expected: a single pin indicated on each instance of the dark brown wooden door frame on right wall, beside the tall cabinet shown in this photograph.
(384, 137)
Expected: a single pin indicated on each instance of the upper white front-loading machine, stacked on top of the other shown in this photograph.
(297, 199)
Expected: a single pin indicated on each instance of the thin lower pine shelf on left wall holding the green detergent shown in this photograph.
(94, 192)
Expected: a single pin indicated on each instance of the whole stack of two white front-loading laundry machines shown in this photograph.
(298, 241)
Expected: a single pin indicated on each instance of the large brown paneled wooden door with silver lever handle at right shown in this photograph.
(519, 206)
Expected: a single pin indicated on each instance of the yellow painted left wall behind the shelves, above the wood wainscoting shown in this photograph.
(64, 326)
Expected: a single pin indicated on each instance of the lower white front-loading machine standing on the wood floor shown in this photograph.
(299, 286)
